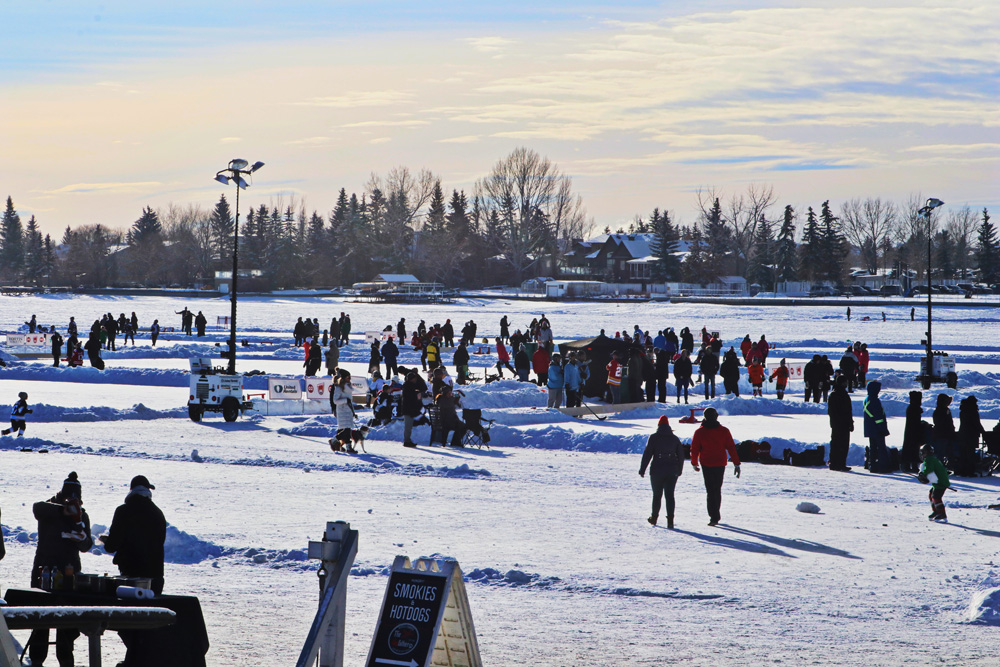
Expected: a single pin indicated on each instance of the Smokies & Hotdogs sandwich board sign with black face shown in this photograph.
(426, 619)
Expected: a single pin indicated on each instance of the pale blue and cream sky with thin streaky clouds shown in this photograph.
(106, 108)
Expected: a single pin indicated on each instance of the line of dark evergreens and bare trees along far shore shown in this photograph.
(516, 223)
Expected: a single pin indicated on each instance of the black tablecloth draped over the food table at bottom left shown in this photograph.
(183, 644)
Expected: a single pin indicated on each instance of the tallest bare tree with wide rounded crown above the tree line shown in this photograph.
(529, 207)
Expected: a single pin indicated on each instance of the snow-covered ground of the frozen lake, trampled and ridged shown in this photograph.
(549, 525)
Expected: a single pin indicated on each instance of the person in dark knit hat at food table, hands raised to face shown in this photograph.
(63, 534)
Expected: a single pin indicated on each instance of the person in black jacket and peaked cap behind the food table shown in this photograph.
(137, 534)
